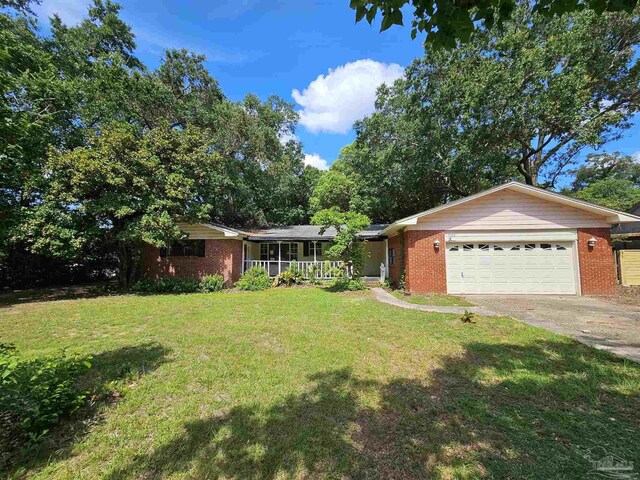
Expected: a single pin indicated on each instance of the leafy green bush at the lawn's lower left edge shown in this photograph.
(37, 394)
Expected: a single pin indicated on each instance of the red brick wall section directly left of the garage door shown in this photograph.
(425, 270)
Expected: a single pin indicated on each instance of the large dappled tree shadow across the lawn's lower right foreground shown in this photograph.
(499, 410)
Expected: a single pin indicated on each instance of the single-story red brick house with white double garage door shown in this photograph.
(514, 238)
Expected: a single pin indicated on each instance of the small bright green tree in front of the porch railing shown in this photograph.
(346, 245)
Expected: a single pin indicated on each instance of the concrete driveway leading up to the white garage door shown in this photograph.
(601, 323)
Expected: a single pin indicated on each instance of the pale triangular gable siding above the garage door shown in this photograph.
(508, 210)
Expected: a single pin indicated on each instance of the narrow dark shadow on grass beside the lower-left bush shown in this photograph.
(122, 364)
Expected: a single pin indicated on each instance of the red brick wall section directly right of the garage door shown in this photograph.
(597, 270)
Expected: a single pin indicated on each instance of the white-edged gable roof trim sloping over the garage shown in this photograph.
(610, 215)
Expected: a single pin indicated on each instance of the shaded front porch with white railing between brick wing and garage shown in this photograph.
(309, 258)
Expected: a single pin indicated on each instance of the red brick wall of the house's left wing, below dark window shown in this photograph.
(220, 256)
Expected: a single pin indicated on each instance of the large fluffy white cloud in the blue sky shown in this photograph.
(332, 102)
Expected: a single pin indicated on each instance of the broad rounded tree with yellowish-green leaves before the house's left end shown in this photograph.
(126, 190)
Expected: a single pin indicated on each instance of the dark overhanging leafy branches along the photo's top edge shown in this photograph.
(446, 22)
